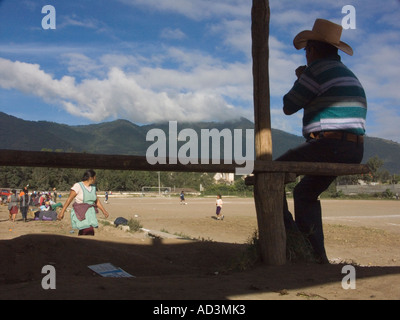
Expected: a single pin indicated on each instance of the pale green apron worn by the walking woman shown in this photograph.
(90, 217)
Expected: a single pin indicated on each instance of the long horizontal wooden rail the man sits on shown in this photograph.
(19, 158)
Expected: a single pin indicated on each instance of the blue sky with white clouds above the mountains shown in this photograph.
(186, 60)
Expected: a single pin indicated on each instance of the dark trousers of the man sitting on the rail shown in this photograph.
(308, 215)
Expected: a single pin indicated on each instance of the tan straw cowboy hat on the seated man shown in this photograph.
(324, 31)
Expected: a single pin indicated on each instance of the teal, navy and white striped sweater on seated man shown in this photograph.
(332, 98)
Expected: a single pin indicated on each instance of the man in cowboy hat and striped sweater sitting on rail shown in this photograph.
(335, 108)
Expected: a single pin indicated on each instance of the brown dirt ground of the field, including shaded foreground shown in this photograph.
(212, 265)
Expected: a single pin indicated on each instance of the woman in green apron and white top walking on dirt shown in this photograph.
(83, 213)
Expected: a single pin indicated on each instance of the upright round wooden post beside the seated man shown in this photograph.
(268, 187)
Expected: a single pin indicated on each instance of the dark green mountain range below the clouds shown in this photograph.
(126, 138)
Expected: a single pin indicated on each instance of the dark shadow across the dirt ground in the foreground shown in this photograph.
(163, 270)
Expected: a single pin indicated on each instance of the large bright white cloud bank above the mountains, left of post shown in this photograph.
(120, 94)
